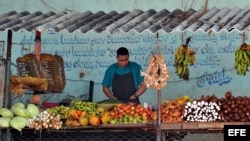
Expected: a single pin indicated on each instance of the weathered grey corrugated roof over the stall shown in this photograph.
(203, 19)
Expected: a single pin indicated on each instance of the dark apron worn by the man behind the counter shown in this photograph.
(123, 87)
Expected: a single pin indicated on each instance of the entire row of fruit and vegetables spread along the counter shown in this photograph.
(82, 113)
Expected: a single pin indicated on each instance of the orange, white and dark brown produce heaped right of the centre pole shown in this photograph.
(206, 109)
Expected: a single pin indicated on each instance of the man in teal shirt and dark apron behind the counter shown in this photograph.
(122, 80)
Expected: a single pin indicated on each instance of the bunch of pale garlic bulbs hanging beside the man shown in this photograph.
(156, 74)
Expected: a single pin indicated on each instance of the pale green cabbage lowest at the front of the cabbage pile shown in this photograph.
(18, 123)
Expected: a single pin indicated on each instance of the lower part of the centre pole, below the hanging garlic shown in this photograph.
(159, 116)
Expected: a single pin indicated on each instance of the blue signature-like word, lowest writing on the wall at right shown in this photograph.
(217, 77)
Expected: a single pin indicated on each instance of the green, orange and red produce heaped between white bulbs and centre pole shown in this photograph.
(82, 113)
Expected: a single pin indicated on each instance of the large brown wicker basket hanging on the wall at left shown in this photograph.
(50, 66)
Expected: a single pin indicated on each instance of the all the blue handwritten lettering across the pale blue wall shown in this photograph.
(98, 52)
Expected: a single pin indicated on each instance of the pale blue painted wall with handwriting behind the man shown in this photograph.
(92, 53)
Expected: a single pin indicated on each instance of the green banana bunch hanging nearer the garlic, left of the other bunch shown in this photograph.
(184, 56)
